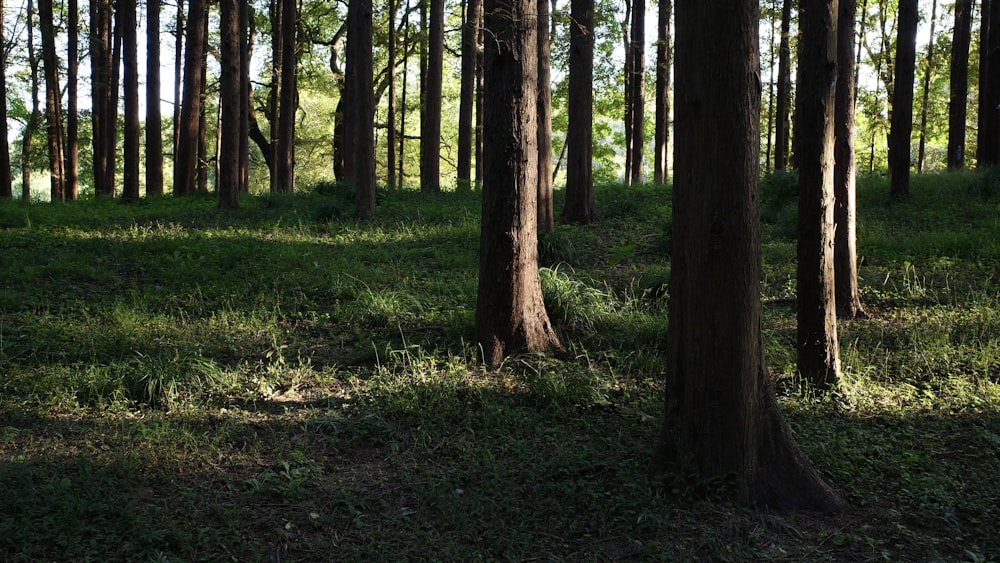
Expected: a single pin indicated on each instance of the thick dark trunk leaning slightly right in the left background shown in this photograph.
(186, 157)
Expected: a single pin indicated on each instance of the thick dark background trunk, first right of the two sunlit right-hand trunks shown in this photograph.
(901, 123)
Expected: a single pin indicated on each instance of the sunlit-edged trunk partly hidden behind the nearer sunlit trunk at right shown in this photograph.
(848, 296)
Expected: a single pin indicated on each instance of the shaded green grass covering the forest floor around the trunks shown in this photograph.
(283, 383)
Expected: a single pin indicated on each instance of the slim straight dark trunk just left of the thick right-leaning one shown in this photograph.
(154, 118)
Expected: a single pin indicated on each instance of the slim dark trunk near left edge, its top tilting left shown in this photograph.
(53, 111)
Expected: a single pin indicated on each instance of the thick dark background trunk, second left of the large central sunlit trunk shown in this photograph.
(430, 121)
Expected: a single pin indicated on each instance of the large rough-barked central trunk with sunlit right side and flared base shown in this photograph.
(510, 313)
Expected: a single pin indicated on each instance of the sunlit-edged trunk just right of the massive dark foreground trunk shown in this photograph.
(819, 356)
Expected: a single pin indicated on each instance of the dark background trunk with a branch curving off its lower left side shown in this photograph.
(287, 99)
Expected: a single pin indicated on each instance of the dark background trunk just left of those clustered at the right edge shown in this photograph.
(959, 84)
